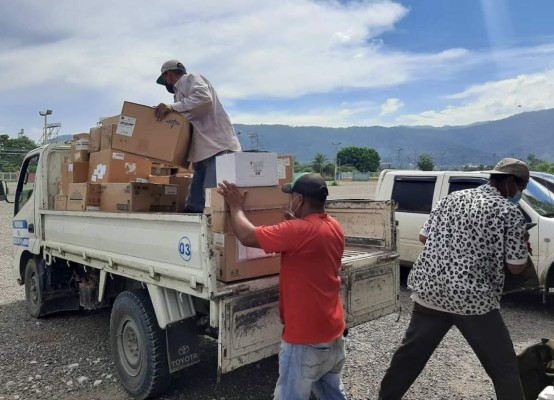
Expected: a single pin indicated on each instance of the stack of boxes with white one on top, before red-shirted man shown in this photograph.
(265, 204)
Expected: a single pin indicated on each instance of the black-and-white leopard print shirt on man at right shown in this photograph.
(471, 234)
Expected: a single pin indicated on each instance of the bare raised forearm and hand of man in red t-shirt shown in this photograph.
(244, 229)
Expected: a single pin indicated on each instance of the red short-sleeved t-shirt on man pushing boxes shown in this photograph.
(311, 250)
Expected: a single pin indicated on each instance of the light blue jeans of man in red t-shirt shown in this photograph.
(317, 367)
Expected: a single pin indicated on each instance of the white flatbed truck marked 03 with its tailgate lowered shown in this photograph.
(158, 272)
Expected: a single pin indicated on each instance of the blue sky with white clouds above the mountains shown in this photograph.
(294, 62)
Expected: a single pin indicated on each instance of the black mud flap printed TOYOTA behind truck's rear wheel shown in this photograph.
(182, 344)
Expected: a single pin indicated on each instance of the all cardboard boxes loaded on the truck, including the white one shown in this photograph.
(133, 163)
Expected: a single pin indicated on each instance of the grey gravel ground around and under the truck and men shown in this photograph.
(67, 356)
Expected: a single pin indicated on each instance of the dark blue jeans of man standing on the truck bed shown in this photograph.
(204, 177)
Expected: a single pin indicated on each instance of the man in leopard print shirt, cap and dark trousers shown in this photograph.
(472, 239)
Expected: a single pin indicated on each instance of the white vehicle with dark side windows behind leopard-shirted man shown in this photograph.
(416, 192)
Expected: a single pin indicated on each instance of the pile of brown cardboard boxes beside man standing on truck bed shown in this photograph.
(129, 163)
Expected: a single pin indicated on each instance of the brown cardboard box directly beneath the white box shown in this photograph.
(263, 206)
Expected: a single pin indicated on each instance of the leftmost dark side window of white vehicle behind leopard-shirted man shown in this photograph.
(414, 193)
